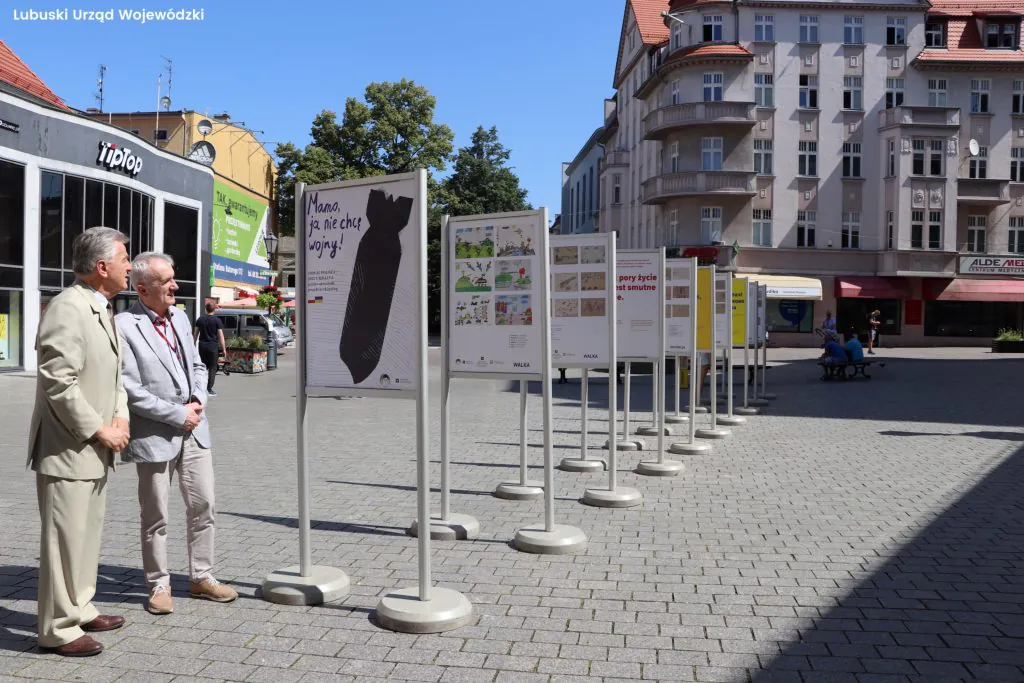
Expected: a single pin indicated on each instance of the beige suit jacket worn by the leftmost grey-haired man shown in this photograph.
(78, 389)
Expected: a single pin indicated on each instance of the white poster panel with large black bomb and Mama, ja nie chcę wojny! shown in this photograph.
(363, 243)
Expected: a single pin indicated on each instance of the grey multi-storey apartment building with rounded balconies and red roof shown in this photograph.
(855, 157)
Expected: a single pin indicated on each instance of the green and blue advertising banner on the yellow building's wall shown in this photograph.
(237, 249)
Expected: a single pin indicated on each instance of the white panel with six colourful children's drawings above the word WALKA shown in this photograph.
(496, 271)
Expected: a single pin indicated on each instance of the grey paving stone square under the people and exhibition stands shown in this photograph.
(865, 532)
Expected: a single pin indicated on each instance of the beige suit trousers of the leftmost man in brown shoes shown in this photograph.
(71, 515)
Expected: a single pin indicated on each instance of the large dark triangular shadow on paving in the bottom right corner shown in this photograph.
(948, 606)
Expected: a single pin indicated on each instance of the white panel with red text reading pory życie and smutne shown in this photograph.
(641, 304)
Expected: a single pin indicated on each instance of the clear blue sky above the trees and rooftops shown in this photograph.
(538, 70)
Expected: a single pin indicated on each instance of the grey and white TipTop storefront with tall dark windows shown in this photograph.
(62, 174)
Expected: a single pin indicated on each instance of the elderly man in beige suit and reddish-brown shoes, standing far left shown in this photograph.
(79, 422)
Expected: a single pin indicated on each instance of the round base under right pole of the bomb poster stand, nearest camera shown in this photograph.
(404, 612)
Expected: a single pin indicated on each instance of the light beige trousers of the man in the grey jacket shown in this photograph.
(195, 469)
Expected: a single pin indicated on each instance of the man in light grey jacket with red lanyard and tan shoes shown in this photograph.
(165, 381)
